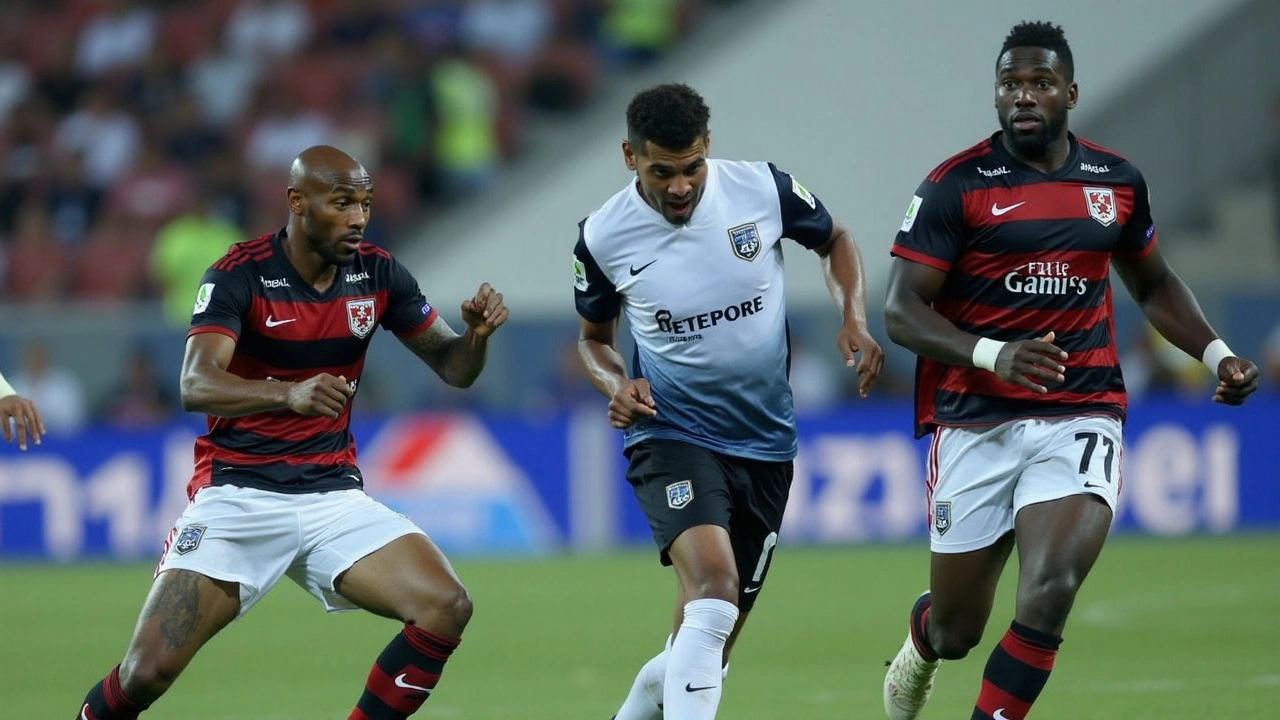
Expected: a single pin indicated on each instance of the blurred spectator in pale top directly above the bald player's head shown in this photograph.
(282, 131)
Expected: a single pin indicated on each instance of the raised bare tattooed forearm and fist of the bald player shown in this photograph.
(460, 359)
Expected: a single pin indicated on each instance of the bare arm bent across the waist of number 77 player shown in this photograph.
(913, 323)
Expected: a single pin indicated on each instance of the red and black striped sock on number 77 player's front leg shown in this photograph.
(1016, 675)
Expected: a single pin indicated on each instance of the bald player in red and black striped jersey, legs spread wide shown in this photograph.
(275, 356)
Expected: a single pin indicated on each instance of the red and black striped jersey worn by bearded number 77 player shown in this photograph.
(1026, 253)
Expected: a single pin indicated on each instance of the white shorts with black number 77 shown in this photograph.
(980, 479)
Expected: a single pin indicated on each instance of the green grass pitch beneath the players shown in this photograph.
(1164, 630)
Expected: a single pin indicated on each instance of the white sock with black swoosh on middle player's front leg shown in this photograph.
(692, 689)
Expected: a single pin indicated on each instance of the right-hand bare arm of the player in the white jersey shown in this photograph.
(843, 270)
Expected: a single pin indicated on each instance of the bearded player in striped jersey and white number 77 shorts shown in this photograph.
(1000, 286)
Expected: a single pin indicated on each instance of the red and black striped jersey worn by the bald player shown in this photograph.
(285, 330)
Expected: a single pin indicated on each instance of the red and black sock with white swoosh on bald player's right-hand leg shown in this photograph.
(404, 676)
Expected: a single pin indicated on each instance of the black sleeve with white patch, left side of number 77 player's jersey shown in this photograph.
(934, 231)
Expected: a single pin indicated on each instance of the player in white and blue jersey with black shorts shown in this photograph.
(691, 250)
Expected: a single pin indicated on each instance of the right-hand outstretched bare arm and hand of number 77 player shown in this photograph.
(1172, 309)
